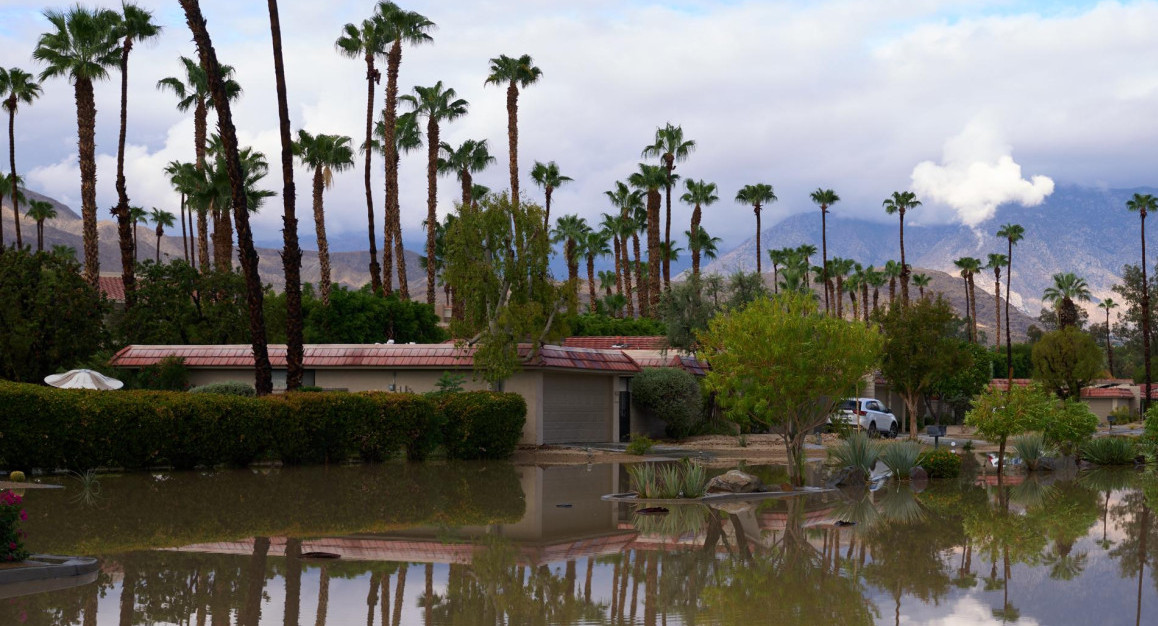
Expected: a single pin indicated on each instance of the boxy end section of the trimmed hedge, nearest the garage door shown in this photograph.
(482, 424)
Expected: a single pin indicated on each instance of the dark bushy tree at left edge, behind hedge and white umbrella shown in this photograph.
(50, 315)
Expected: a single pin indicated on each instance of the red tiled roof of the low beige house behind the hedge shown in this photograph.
(395, 357)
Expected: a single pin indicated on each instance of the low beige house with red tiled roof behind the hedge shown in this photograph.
(574, 395)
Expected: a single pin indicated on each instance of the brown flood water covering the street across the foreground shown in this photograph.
(486, 544)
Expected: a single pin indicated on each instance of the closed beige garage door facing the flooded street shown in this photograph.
(576, 409)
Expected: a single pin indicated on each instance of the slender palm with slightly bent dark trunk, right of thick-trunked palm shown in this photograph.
(136, 26)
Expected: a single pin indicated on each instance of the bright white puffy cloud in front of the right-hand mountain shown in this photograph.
(977, 175)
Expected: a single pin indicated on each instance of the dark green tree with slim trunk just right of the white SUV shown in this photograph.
(920, 351)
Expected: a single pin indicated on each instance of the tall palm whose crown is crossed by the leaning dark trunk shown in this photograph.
(194, 93)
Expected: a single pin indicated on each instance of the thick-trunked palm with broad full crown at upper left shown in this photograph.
(82, 48)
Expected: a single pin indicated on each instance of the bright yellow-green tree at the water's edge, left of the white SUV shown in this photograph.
(781, 364)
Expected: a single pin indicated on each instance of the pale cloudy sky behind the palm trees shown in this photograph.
(970, 104)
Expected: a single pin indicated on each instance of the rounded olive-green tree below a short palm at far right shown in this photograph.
(1066, 360)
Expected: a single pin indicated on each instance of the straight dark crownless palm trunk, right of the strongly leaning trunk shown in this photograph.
(291, 254)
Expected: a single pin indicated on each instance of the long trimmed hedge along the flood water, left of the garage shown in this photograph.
(54, 429)
